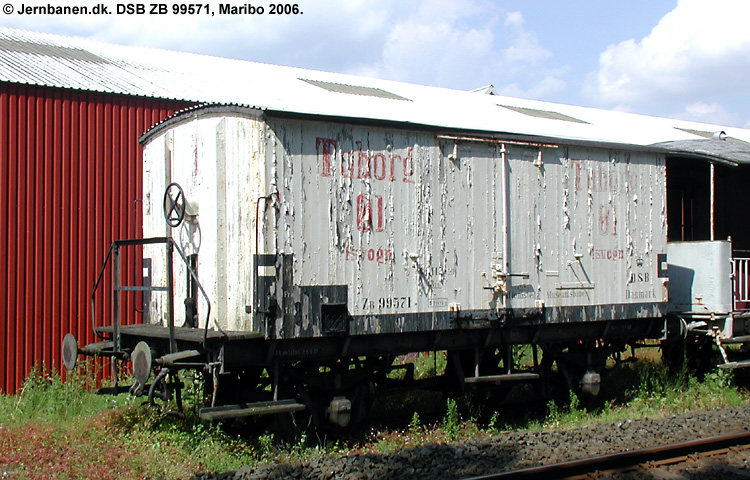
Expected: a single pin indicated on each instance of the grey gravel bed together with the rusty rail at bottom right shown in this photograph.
(511, 450)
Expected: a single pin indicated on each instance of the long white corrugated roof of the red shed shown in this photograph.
(66, 62)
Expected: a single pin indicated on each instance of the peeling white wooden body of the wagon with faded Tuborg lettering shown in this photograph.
(308, 227)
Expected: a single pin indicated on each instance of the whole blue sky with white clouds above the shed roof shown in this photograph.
(686, 59)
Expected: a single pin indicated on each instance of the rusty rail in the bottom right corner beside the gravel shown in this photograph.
(724, 456)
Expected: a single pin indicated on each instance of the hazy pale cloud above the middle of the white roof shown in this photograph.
(466, 48)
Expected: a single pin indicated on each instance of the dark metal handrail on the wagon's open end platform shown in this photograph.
(169, 242)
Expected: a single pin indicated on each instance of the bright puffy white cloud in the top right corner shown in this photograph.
(698, 52)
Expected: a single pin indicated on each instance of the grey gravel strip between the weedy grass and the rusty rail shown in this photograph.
(505, 451)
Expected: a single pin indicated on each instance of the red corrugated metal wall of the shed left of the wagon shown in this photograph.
(70, 183)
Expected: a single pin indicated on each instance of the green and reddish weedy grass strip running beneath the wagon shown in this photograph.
(60, 429)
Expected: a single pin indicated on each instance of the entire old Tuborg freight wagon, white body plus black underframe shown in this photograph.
(311, 251)
